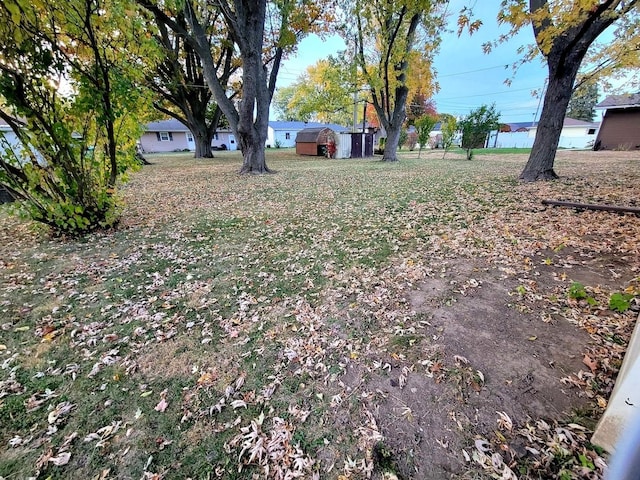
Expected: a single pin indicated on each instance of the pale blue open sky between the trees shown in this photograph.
(468, 78)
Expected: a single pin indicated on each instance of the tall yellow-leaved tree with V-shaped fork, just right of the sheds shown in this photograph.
(387, 39)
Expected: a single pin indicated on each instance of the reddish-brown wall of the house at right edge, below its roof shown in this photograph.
(620, 129)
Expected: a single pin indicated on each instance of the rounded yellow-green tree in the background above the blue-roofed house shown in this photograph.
(324, 93)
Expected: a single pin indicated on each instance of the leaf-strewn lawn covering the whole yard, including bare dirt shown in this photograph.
(340, 319)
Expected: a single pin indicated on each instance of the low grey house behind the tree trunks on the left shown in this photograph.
(173, 136)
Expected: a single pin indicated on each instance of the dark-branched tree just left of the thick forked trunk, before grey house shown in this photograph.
(178, 79)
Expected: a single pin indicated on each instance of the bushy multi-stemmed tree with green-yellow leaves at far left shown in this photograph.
(71, 100)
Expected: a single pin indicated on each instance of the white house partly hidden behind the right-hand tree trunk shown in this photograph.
(575, 134)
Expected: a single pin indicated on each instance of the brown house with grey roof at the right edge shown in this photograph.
(620, 129)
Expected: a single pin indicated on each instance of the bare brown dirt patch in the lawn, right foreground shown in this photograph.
(492, 357)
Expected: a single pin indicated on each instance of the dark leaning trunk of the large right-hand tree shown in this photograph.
(556, 100)
